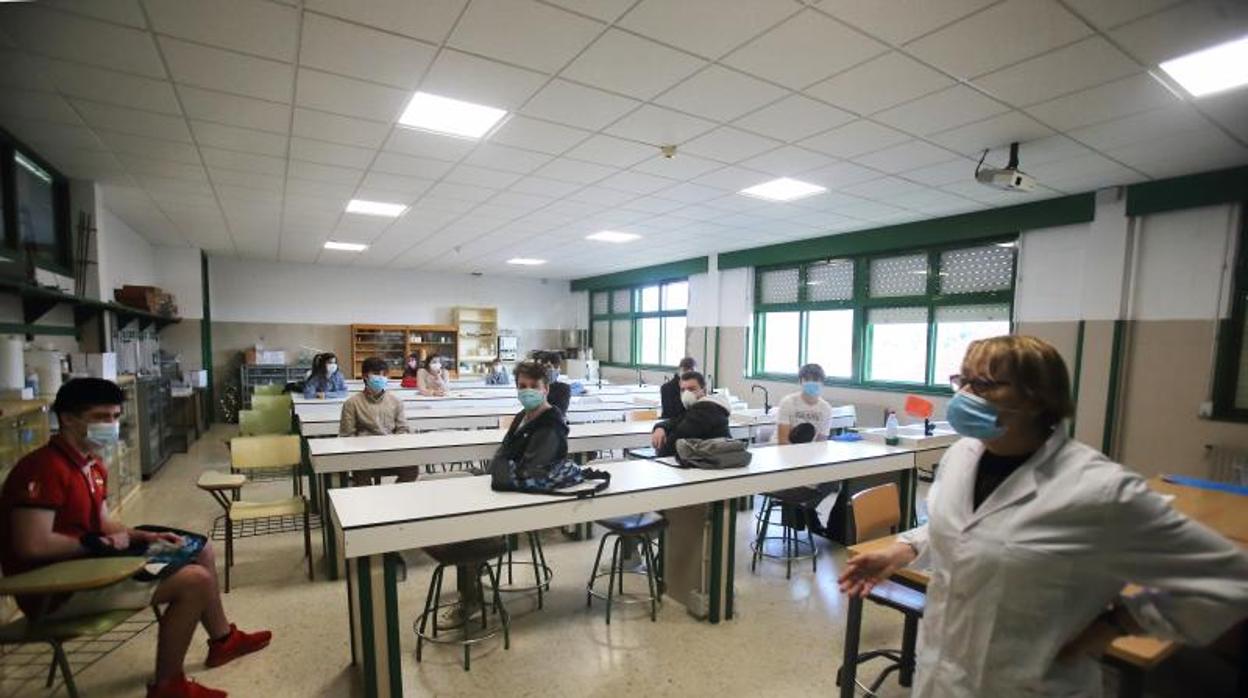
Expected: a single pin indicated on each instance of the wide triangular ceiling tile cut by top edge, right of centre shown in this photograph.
(902, 21)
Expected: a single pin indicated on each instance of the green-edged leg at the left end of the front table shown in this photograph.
(373, 594)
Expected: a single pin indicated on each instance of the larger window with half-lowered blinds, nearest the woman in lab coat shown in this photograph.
(884, 320)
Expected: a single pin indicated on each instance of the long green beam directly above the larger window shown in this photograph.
(963, 228)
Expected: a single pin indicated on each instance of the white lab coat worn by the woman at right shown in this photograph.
(1043, 556)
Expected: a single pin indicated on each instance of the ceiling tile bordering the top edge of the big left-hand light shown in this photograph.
(480, 81)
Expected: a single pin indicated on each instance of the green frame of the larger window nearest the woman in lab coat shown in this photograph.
(928, 298)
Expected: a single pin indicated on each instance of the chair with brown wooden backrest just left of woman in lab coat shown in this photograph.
(877, 514)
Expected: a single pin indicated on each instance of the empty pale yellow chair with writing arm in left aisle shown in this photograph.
(251, 455)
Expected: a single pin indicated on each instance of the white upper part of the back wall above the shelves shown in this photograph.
(253, 292)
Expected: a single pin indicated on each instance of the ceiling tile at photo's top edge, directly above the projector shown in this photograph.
(999, 37)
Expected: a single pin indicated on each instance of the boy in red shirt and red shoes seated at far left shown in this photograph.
(53, 509)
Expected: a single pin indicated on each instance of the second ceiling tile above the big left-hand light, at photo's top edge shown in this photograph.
(524, 33)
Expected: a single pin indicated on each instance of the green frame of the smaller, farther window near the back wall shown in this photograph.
(610, 320)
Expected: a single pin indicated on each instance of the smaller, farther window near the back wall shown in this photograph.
(641, 327)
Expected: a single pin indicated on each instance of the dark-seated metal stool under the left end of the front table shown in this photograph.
(476, 556)
